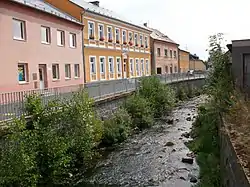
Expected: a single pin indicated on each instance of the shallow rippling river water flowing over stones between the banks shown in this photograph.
(146, 159)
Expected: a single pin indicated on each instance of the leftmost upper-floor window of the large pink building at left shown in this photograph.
(19, 32)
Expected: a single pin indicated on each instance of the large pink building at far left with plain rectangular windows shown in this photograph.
(40, 47)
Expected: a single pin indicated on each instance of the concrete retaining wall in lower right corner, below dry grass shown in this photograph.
(232, 174)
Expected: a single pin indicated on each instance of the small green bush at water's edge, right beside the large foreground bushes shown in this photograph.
(118, 128)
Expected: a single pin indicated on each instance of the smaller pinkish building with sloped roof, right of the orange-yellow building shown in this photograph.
(164, 53)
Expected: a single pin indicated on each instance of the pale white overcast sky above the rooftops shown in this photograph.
(188, 22)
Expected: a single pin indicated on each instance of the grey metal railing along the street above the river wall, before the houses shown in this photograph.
(12, 103)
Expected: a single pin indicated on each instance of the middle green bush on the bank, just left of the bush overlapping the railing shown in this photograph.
(140, 111)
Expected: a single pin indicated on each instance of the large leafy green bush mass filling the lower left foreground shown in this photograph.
(57, 147)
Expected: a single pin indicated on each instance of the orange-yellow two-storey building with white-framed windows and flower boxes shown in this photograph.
(113, 47)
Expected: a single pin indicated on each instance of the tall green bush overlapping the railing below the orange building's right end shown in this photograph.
(160, 96)
